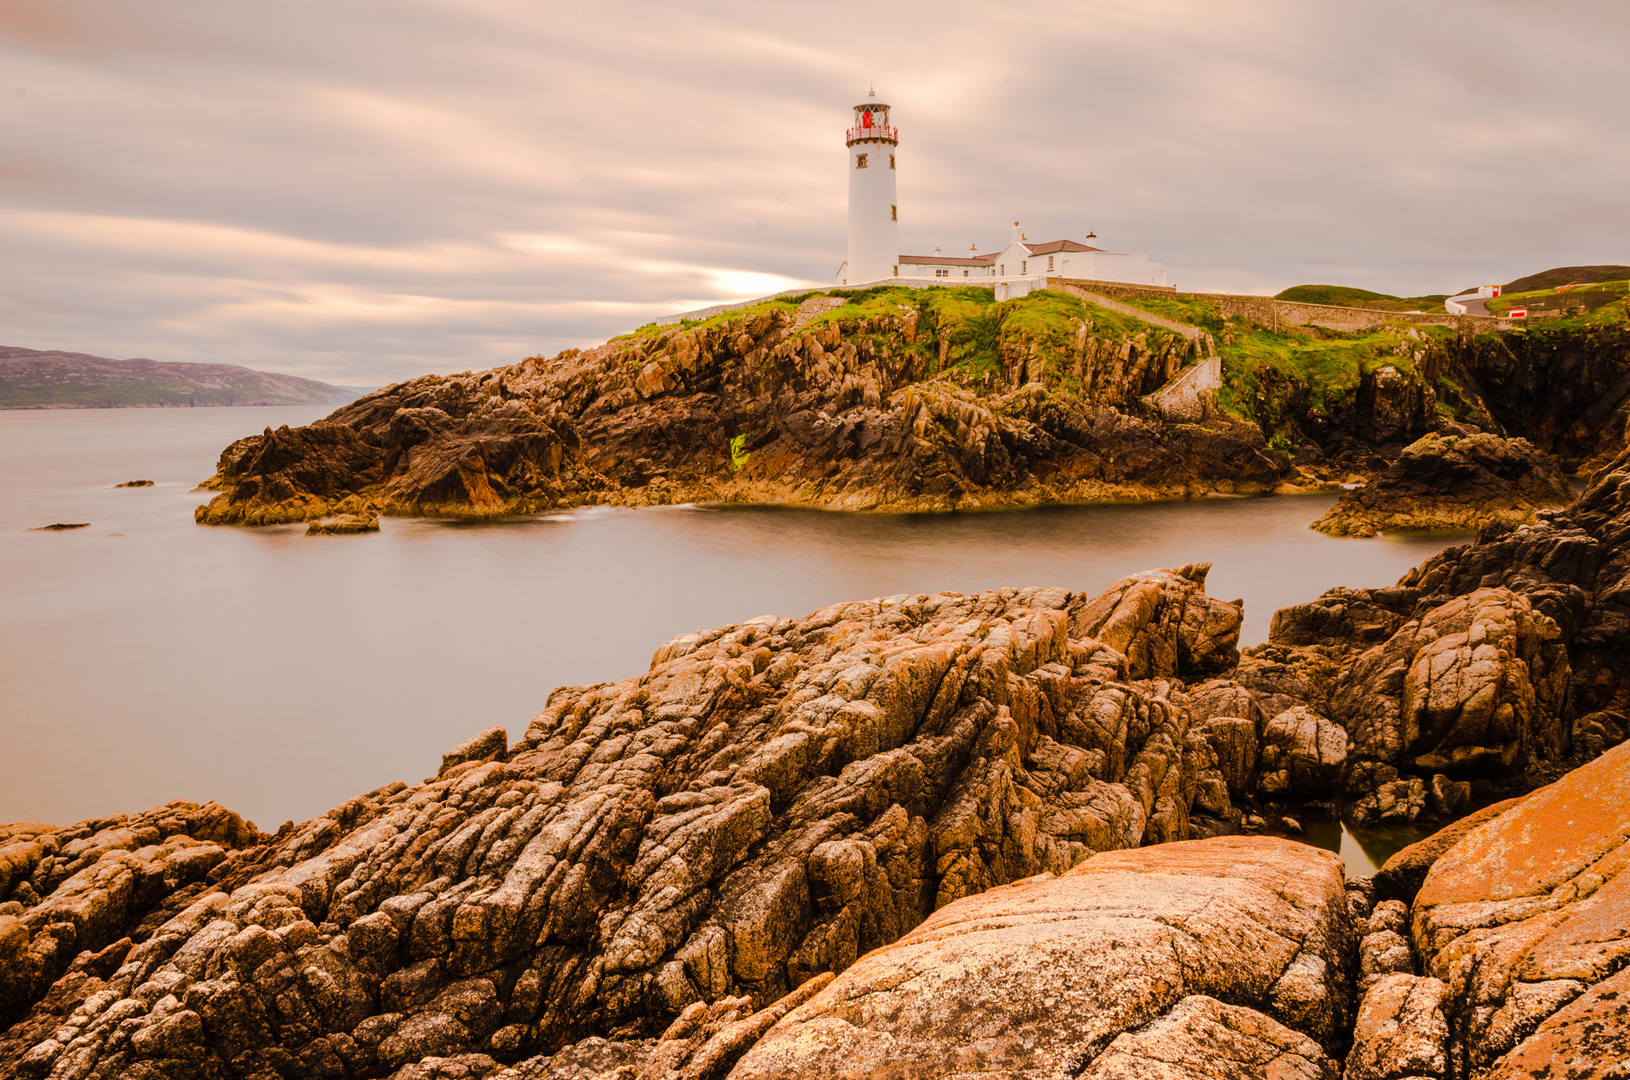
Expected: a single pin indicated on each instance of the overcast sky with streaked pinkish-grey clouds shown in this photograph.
(368, 191)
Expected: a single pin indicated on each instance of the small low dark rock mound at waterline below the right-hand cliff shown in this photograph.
(1453, 483)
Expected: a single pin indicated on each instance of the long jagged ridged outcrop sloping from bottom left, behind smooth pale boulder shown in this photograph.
(762, 807)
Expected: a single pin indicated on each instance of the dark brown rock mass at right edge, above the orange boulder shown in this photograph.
(1487, 672)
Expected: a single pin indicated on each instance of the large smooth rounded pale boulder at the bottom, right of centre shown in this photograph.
(1109, 970)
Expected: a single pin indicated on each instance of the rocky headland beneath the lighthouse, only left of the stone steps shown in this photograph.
(889, 400)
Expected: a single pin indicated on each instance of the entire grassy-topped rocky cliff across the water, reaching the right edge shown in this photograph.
(928, 400)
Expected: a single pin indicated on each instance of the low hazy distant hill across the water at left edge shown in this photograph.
(74, 380)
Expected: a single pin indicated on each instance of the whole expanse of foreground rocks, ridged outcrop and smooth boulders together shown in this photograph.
(1008, 794)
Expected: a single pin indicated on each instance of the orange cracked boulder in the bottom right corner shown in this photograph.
(1528, 923)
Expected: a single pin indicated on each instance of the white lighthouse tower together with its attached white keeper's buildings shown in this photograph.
(874, 230)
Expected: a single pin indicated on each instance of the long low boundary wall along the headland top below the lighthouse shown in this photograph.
(1264, 310)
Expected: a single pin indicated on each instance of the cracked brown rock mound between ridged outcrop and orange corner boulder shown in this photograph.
(1432, 696)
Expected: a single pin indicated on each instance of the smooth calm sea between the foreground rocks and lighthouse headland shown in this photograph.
(148, 659)
